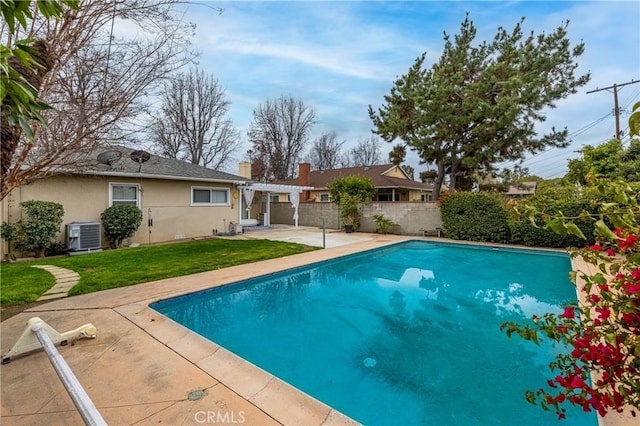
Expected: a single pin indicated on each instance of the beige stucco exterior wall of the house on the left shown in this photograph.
(168, 202)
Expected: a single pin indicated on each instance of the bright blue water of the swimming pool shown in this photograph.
(405, 335)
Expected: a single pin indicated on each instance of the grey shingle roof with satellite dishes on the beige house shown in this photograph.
(155, 168)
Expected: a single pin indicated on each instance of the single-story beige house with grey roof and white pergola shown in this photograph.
(178, 200)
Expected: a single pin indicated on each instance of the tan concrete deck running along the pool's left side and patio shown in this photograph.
(143, 368)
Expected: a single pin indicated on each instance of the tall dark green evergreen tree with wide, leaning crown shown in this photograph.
(479, 104)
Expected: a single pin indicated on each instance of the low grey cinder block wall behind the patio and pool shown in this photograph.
(411, 217)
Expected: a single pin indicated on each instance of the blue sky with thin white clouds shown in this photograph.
(339, 57)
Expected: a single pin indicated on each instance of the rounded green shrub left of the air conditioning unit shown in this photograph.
(36, 232)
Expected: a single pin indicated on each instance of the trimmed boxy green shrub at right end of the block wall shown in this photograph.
(475, 216)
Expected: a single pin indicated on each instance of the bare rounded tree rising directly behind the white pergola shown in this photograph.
(279, 132)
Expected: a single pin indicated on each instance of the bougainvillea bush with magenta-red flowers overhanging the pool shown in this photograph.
(601, 369)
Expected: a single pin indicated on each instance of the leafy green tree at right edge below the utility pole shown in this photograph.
(610, 160)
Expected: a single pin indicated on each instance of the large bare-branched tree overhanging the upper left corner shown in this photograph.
(97, 83)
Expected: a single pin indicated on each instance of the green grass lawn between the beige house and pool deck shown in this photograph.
(20, 283)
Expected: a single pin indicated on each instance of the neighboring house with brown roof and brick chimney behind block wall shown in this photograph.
(392, 183)
